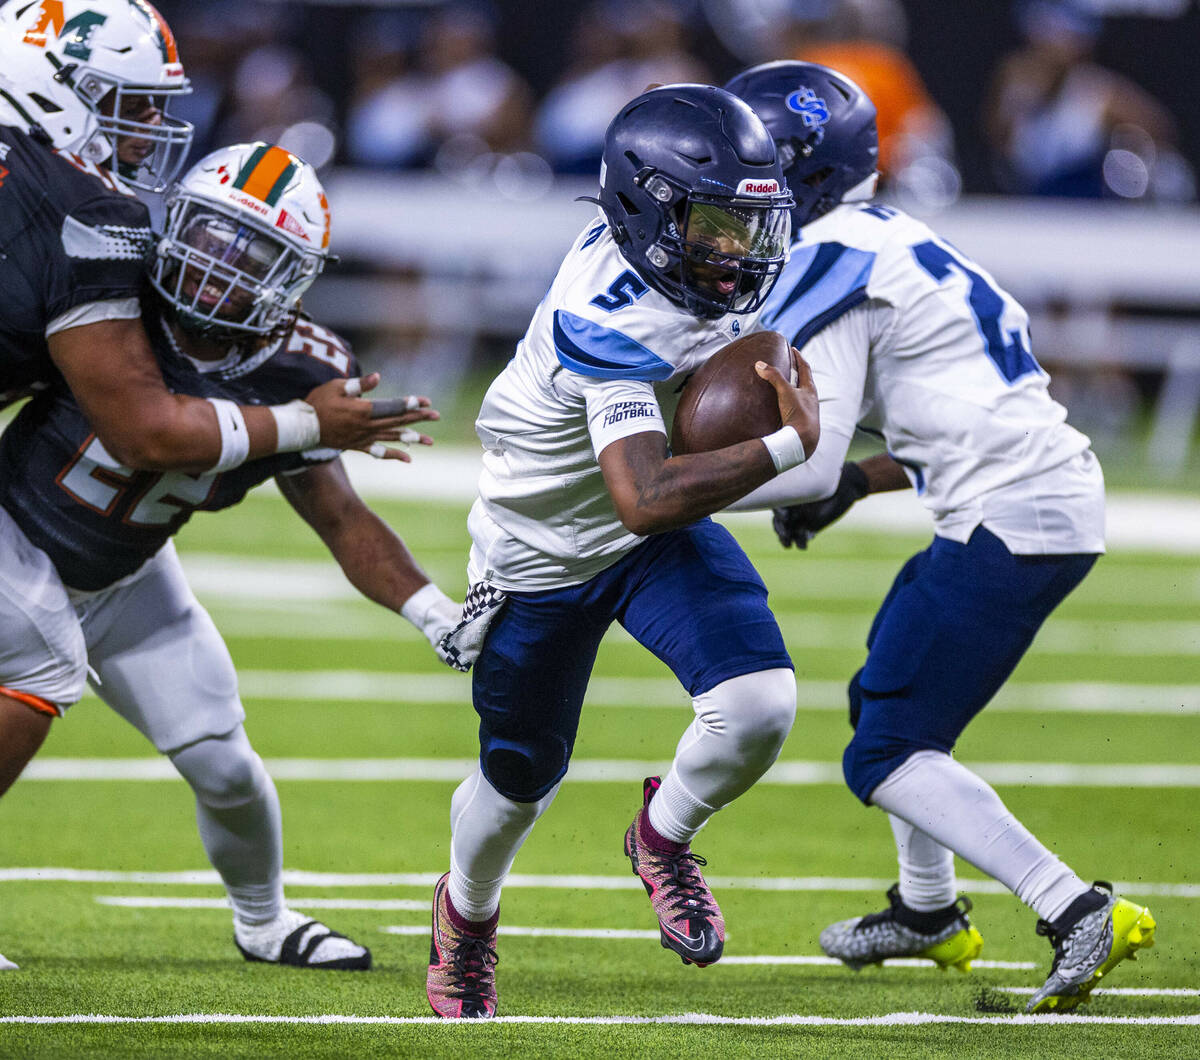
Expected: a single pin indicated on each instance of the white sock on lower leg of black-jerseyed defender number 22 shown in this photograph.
(238, 816)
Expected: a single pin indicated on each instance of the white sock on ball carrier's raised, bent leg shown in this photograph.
(740, 728)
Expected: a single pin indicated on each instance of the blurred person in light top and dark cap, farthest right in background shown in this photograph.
(1059, 124)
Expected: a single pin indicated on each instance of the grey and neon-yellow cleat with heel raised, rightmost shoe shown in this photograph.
(1089, 947)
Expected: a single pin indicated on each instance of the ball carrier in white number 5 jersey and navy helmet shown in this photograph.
(585, 519)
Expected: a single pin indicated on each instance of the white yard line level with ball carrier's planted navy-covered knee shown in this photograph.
(790, 775)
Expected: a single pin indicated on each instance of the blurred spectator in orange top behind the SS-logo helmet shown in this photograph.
(866, 40)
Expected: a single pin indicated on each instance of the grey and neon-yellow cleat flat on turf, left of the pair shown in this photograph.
(945, 937)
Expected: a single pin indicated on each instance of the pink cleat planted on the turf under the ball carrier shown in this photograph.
(461, 980)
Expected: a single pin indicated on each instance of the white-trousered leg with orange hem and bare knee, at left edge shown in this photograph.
(44, 667)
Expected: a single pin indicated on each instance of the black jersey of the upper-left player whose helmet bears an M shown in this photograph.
(69, 236)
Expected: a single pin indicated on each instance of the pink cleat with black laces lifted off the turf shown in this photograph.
(691, 923)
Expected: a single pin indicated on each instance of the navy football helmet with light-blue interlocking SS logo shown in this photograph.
(824, 127)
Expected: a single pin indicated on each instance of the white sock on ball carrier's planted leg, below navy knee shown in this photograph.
(487, 833)
